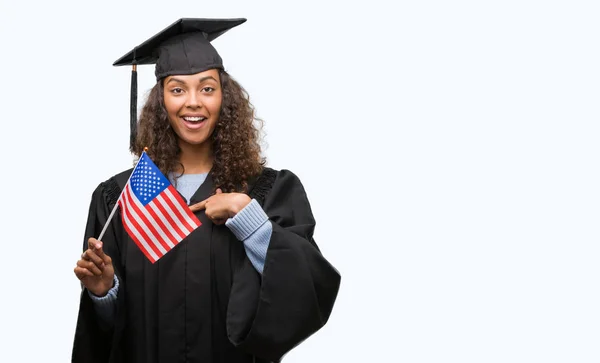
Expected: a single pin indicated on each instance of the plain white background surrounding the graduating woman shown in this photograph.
(449, 150)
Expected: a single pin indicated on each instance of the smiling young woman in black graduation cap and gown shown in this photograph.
(250, 283)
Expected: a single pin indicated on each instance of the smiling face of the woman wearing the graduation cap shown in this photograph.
(193, 103)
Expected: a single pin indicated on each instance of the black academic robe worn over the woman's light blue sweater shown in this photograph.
(204, 301)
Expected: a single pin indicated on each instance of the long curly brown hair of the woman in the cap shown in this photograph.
(235, 141)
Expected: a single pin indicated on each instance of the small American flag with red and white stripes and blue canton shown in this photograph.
(154, 215)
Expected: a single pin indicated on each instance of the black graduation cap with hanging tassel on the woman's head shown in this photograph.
(181, 48)
